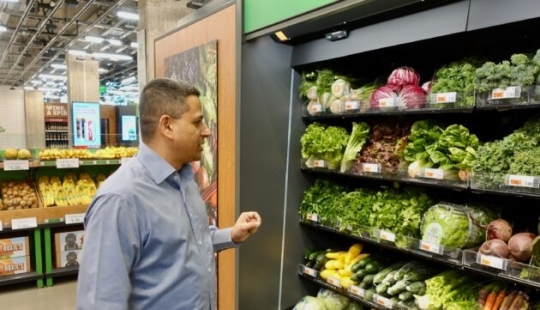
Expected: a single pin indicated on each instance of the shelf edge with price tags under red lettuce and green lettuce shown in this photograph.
(397, 177)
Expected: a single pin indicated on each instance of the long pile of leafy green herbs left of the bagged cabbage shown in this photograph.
(398, 211)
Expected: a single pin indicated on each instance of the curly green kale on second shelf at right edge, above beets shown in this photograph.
(517, 153)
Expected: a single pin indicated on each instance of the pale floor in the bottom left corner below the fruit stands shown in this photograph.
(60, 296)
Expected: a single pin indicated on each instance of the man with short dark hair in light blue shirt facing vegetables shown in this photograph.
(148, 245)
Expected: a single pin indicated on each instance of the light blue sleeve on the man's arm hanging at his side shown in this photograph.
(112, 241)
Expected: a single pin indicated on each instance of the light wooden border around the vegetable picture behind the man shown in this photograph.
(221, 26)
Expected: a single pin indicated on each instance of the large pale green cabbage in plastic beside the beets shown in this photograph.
(455, 226)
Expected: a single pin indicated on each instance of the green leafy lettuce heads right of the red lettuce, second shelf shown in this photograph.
(453, 148)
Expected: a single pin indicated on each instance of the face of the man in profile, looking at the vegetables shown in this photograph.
(189, 131)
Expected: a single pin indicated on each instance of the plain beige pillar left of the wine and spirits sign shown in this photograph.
(35, 119)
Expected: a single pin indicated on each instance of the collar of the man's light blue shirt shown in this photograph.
(158, 168)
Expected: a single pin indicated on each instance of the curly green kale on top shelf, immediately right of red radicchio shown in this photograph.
(456, 77)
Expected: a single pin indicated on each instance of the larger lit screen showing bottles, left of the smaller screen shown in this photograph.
(86, 124)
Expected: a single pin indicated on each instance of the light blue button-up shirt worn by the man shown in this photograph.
(147, 243)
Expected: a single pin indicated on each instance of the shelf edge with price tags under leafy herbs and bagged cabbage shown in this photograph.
(412, 247)
